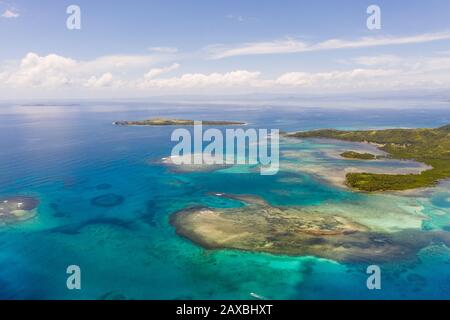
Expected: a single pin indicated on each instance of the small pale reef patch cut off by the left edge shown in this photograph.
(16, 209)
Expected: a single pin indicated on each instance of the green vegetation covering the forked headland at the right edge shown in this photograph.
(430, 146)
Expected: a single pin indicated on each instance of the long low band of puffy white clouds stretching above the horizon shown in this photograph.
(138, 74)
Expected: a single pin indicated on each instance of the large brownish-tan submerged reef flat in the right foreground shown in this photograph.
(300, 231)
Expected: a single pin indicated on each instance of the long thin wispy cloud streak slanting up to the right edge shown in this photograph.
(290, 45)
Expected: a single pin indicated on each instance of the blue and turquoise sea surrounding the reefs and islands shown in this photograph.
(66, 156)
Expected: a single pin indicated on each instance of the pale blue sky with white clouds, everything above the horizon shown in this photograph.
(141, 48)
